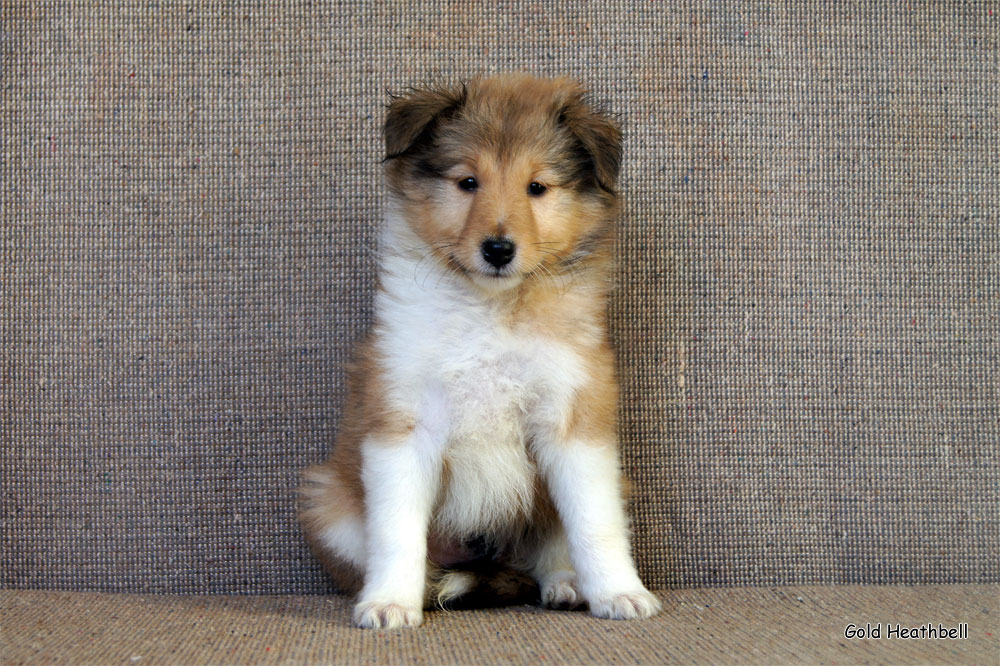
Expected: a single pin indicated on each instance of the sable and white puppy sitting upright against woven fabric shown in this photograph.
(479, 435)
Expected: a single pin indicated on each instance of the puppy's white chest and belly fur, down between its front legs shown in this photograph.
(486, 391)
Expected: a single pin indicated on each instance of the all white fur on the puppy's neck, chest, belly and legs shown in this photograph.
(478, 390)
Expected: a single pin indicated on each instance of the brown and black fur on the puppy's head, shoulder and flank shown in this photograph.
(513, 130)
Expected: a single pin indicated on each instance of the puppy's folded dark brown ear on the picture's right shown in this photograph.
(600, 137)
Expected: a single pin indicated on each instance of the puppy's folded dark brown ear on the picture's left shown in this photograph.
(413, 116)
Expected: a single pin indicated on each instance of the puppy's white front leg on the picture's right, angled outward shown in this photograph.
(584, 481)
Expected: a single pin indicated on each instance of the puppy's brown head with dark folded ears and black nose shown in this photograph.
(506, 177)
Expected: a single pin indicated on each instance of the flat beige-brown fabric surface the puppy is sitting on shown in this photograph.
(716, 626)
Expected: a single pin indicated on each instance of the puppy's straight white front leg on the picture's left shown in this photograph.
(401, 481)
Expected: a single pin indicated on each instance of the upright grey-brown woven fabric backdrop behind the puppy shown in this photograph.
(806, 312)
